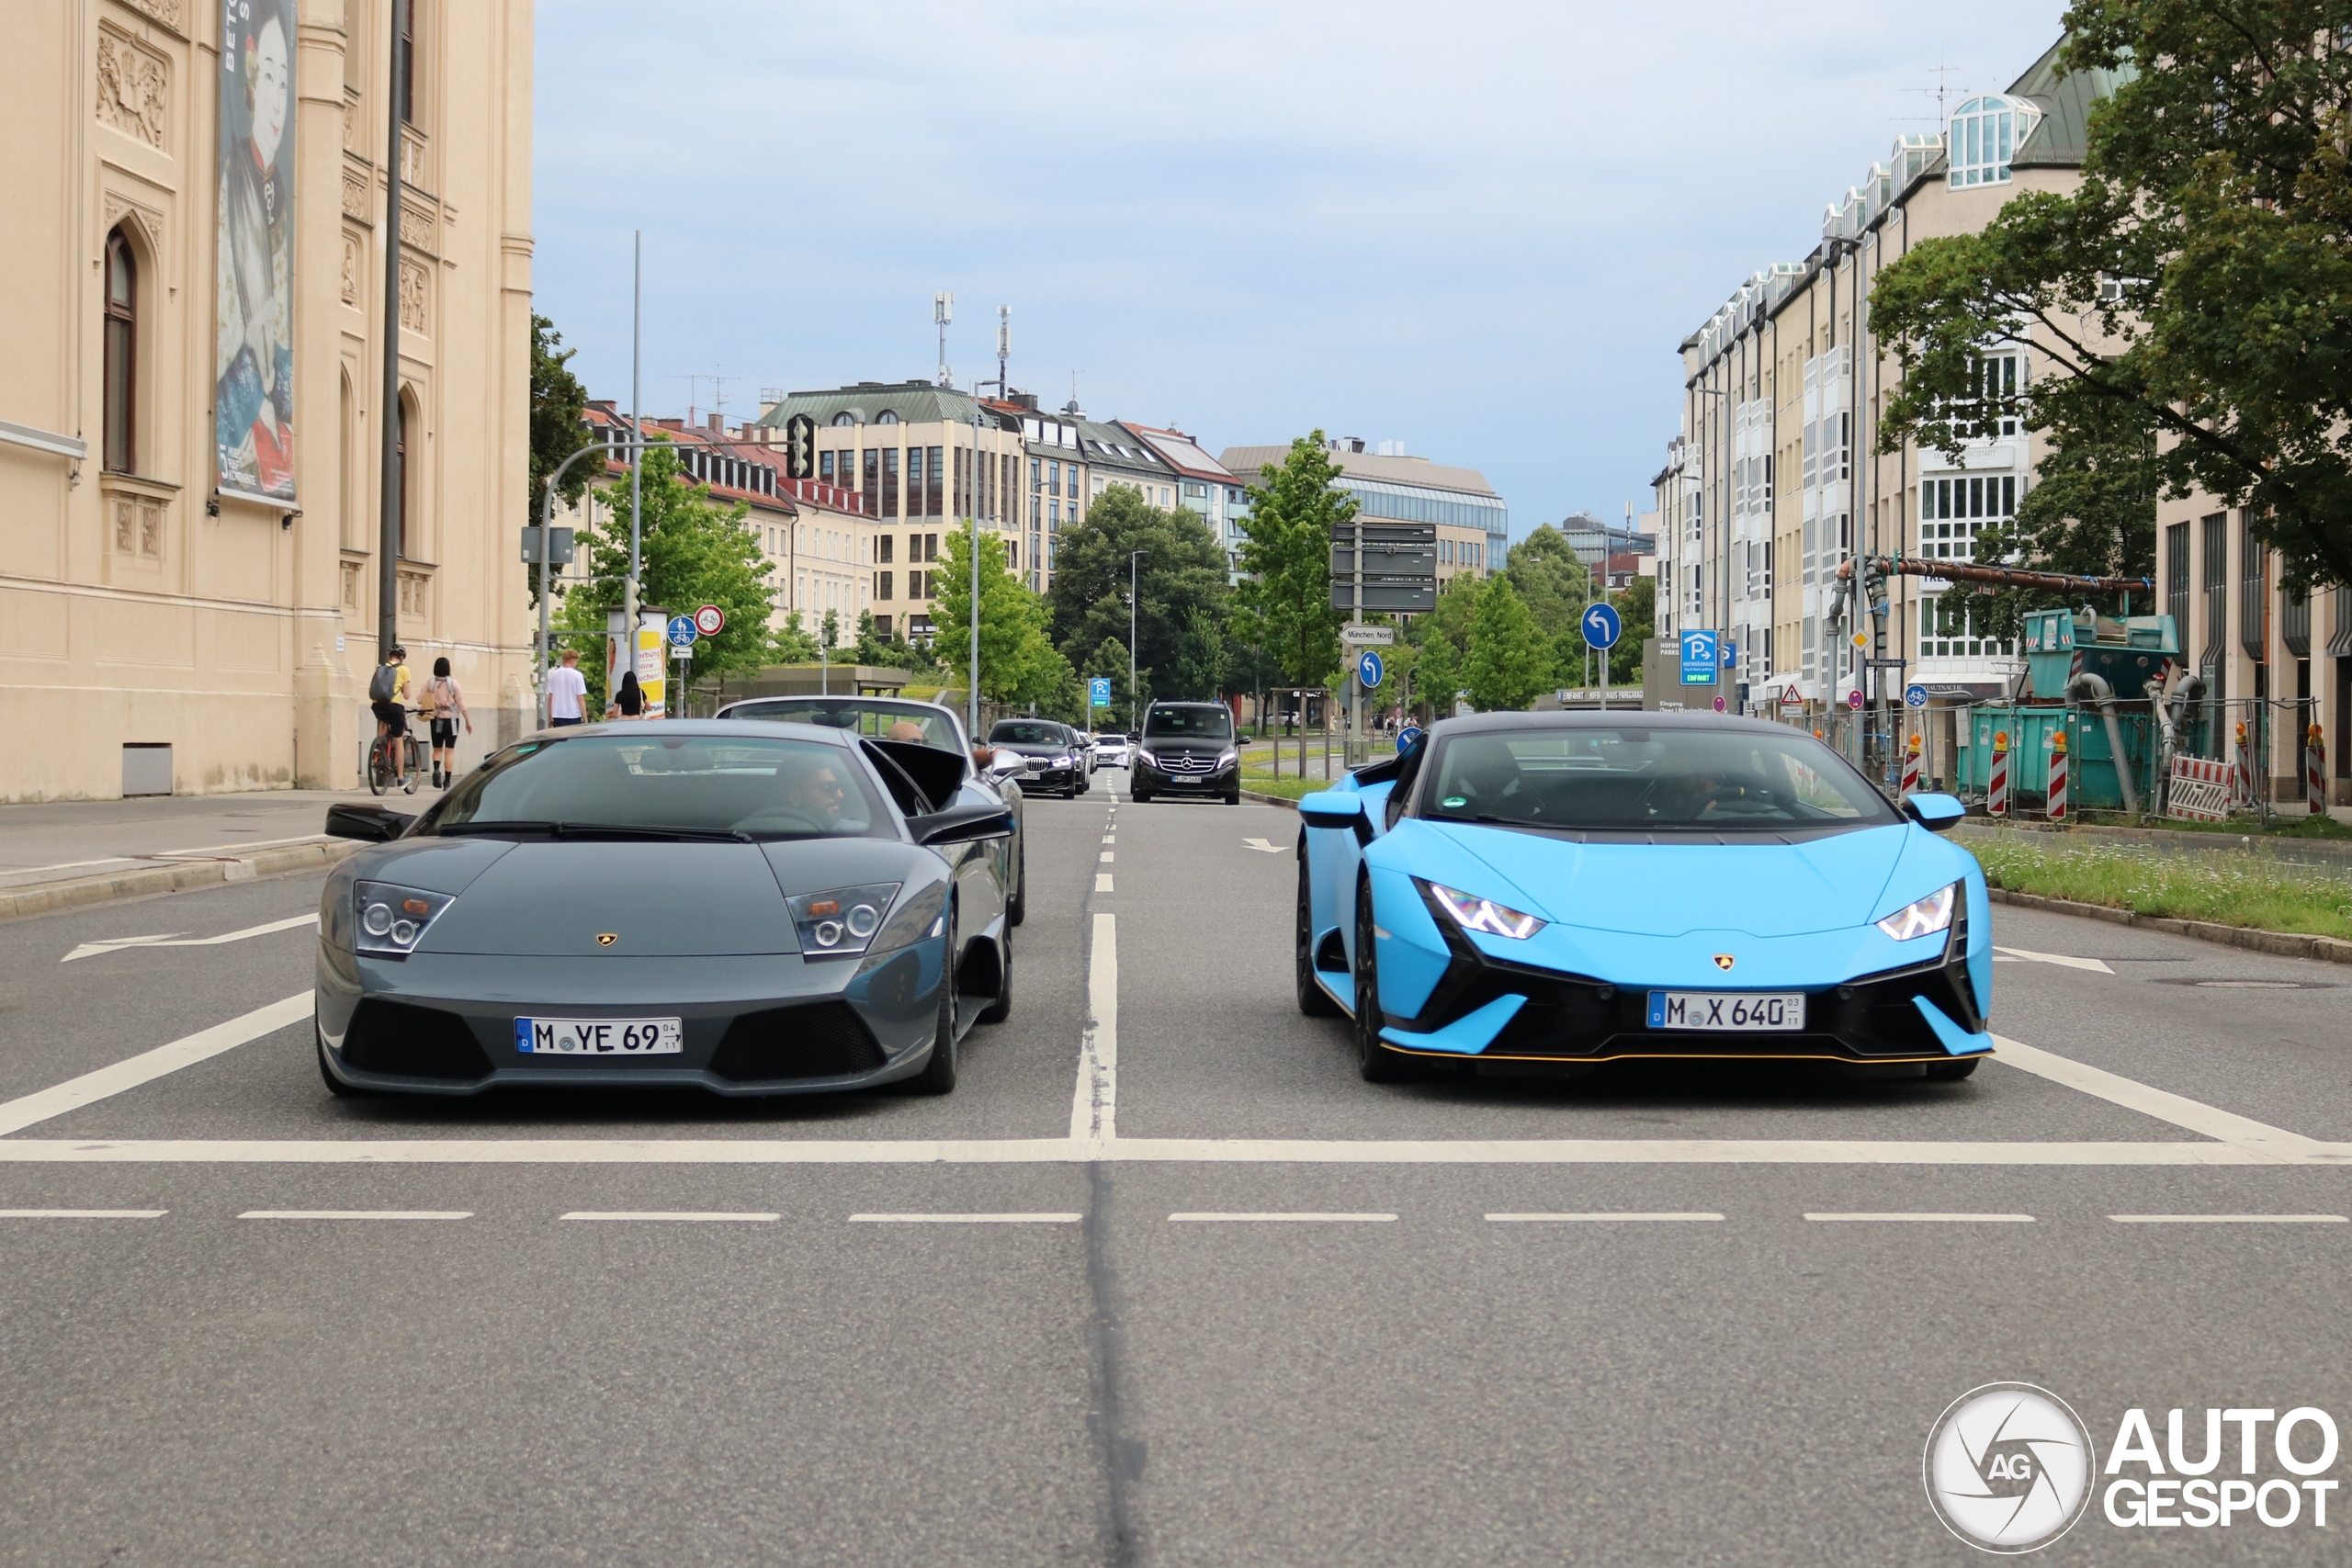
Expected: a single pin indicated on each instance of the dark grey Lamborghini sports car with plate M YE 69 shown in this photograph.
(735, 906)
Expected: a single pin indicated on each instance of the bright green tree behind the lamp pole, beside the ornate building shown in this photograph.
(695, 554)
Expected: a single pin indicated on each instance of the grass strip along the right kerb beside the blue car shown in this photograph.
(2229, 890)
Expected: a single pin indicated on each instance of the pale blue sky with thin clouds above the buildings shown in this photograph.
(1478, 229)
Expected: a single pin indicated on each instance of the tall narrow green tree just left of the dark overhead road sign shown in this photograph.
(1288, 561)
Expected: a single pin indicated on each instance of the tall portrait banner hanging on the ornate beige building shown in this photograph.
(255, 337)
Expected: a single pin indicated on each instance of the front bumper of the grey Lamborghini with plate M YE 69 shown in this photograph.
(754, 1026)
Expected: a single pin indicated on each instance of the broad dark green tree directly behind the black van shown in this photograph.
(1180, 589)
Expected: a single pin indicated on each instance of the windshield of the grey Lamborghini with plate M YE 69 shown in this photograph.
(667, 786)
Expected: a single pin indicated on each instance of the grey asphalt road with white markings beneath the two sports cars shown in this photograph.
(1088, 1379)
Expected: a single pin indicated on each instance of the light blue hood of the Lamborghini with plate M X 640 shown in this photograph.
(1669, 890)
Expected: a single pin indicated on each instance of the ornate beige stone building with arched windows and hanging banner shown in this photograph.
(189, 450)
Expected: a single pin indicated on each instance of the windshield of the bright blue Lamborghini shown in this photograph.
(1648, 779)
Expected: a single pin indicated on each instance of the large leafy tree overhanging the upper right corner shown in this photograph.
(2189, 307)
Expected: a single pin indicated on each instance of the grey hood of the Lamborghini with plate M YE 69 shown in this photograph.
(653, 899)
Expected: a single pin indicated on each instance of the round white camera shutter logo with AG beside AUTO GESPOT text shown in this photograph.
(2010, 1468)
